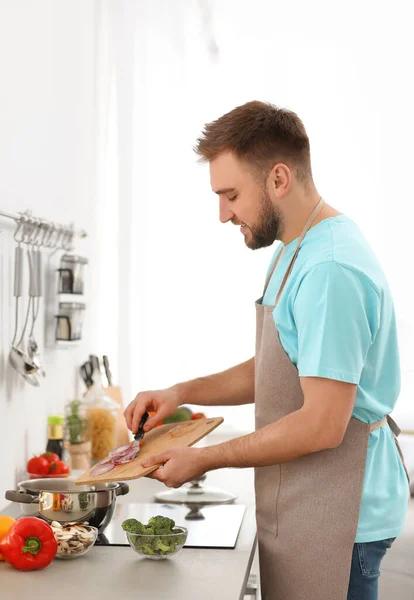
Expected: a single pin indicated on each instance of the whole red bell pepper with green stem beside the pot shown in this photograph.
(30, 544)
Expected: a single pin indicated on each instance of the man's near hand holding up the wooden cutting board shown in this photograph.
(179, 465)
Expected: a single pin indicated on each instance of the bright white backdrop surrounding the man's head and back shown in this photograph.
(187, 283)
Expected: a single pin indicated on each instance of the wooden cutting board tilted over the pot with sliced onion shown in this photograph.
(158, 440)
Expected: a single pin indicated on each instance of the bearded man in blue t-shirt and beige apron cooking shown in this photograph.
(331, 489)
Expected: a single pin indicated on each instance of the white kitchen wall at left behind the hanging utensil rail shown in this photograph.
(47, 159)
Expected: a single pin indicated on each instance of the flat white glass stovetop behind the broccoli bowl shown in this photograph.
(210, 527)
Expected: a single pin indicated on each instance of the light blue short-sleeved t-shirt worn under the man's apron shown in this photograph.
(336, 319)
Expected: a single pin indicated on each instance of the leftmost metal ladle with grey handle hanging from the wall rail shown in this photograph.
(18, 358)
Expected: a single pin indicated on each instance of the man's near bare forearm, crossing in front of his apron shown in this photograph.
(295, 435)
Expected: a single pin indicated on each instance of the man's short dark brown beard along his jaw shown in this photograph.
(270, 224)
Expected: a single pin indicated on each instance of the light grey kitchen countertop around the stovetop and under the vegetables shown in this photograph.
(194, 574)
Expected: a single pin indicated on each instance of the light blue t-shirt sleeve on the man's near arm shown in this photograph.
(337, 315)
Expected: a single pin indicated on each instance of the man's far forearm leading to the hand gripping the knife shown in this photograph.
(232, 387)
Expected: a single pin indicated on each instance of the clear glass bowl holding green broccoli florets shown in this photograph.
(158, 547)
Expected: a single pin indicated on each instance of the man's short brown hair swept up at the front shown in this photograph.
(261, 134)
